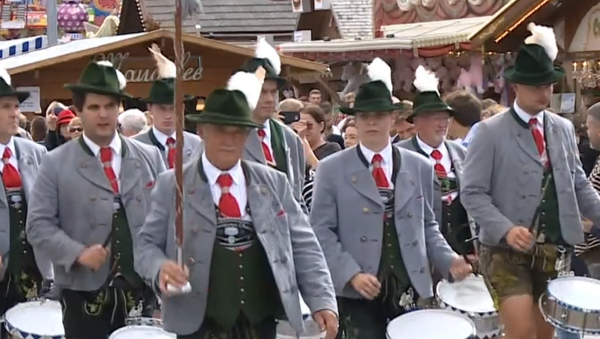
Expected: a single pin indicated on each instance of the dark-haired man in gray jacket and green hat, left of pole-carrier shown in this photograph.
(89, 202)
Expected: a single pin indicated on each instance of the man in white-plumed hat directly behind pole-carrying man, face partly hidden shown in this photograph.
(273, 143)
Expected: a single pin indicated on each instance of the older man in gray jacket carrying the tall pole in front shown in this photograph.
(245, 238)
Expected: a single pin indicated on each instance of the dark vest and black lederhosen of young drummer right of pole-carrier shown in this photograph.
(363, 319)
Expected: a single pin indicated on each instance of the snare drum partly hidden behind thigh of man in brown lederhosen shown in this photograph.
(471, 298)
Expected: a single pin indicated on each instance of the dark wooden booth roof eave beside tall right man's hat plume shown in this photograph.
(506, 30)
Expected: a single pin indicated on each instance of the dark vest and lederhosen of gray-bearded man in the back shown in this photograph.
(455, 221)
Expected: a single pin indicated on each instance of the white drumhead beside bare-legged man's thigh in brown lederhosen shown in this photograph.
(469, 295)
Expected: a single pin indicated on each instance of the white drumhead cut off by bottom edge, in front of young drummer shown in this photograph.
(431, 324)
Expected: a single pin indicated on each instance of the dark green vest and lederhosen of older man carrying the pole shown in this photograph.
(243, 298)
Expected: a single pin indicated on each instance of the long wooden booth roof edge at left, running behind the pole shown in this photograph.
(87, 48)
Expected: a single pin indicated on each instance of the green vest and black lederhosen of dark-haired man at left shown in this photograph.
(96, 314)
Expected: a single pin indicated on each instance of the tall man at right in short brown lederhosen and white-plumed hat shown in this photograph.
(524, 186)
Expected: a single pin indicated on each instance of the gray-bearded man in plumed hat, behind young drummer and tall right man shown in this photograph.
(431, 116)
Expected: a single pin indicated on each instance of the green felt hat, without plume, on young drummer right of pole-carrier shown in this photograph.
(373, 97)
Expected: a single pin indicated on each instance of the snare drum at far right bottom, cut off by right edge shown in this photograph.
(572, 304)
